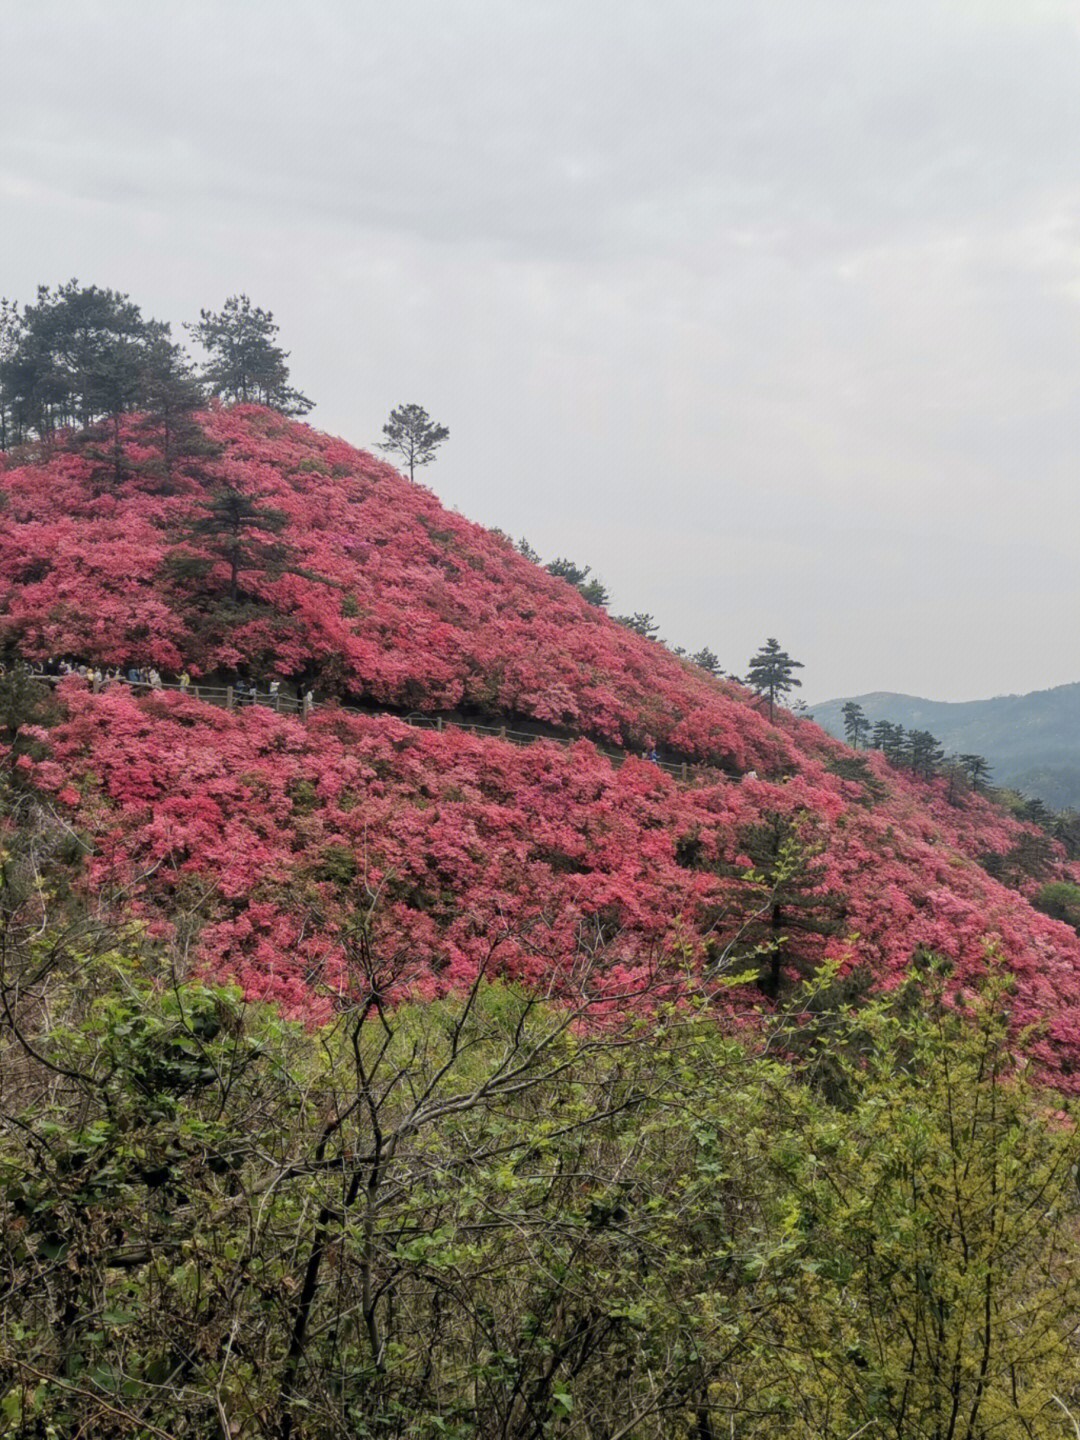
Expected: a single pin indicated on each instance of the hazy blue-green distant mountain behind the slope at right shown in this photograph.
(1033, 742)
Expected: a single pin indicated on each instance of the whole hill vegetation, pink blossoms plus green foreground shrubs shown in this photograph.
(368, 1079)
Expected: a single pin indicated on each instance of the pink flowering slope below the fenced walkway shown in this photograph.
(273, 836)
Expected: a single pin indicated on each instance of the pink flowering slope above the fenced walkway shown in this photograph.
(390, 597)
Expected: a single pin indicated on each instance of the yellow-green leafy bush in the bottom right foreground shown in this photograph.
(944, 1213)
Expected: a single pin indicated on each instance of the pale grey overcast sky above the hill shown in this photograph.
(768, 310)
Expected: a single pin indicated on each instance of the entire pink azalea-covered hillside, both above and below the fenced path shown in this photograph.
(266, 840)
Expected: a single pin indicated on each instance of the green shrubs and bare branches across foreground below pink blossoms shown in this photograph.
(485, 1216)
